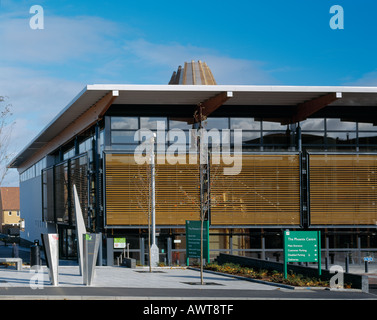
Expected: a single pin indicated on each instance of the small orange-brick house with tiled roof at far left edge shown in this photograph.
(9, 209)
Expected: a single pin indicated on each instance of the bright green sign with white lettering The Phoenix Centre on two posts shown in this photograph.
(302, 246)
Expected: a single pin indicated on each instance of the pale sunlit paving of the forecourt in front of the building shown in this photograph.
(120, 277)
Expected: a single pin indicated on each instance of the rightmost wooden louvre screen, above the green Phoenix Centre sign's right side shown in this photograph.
(343, 189)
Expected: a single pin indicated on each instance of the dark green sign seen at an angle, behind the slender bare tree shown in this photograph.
(193, 240)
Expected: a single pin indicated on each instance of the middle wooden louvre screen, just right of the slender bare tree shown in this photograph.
(265, 192)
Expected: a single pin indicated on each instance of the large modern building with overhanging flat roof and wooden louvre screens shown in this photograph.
(309, 162)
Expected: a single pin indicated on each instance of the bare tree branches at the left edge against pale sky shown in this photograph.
(5, 133)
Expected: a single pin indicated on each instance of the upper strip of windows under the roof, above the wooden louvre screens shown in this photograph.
(324, 134)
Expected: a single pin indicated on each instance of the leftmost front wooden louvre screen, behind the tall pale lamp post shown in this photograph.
(127, 191)
